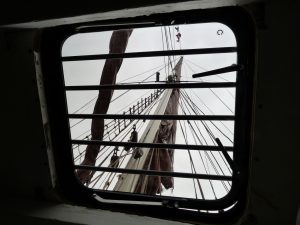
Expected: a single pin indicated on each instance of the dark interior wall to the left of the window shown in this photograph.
(24, 164)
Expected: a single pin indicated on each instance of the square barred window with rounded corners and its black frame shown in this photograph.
(153, 113)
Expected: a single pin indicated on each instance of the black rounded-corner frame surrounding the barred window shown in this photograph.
(67, 184)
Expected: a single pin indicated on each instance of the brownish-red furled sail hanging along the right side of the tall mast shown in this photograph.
(162, 159)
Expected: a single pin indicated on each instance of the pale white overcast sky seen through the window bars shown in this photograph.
(150, 39)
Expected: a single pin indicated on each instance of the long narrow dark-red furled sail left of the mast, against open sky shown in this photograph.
(118, 44)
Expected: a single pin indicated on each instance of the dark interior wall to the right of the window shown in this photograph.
(276, 170)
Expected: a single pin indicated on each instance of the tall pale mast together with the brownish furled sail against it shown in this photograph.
(157, 131)
